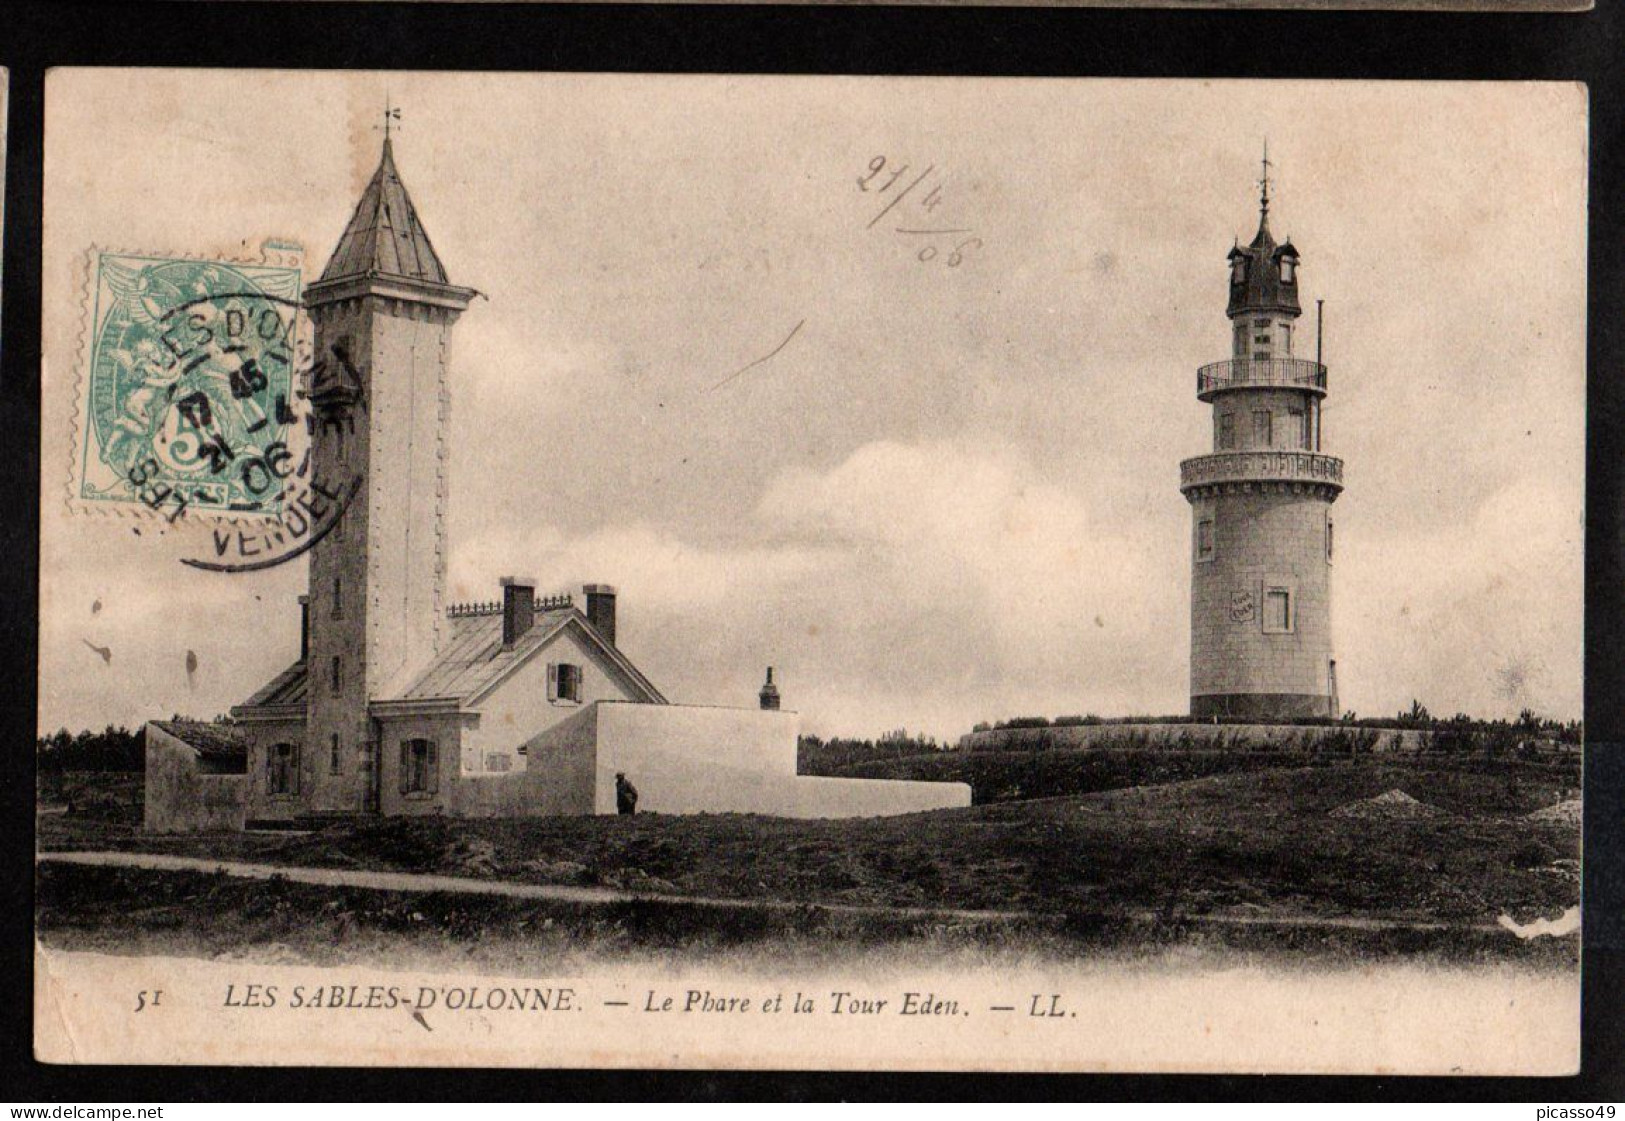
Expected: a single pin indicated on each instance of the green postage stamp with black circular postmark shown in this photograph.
(188, 384)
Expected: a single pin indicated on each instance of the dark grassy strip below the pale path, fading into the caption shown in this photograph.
(142, 912)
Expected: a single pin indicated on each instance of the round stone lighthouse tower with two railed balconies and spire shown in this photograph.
(1262, 529)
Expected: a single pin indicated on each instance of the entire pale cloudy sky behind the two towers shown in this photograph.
(953, 495)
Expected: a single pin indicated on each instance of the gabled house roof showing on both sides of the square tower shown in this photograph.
(472, 662)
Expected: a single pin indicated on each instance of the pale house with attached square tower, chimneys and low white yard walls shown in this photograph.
(405, 704)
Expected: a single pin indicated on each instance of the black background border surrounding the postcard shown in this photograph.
(1585, 48)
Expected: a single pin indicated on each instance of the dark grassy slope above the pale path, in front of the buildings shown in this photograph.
(1254, 844)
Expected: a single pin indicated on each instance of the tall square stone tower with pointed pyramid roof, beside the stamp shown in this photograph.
(383, 314)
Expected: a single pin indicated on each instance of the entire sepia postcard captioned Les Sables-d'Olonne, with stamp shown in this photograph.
(810, 573)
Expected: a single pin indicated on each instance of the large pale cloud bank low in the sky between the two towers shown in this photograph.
(924, 586)
